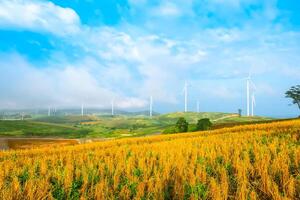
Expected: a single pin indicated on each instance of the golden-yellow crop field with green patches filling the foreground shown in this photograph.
(245, 162)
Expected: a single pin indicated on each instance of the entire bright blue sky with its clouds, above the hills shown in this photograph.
(66, 52)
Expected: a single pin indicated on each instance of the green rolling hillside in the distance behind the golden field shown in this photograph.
(105, 126)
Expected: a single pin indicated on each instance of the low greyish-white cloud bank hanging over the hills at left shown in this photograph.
(25, 85)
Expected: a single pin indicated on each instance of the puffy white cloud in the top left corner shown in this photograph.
(38, 16)
